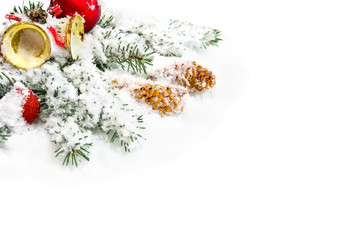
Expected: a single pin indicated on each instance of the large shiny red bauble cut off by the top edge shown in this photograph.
(89, 9)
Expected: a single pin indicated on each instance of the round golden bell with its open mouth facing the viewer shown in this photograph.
(26, 45)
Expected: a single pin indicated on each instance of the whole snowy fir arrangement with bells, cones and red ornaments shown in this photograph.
(70, 74)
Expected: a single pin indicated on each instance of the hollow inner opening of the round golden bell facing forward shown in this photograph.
(28, 43)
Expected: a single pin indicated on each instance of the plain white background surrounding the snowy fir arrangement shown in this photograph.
(274, 156)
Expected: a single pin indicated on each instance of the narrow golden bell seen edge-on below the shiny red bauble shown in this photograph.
(74, 35)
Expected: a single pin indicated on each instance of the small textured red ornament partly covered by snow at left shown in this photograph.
(31, 107)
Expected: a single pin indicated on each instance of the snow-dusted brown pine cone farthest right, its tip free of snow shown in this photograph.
(189, 75)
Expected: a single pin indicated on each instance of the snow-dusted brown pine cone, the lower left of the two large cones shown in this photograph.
(164, 99)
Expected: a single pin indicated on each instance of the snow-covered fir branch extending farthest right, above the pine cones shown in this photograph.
(170, 40)
